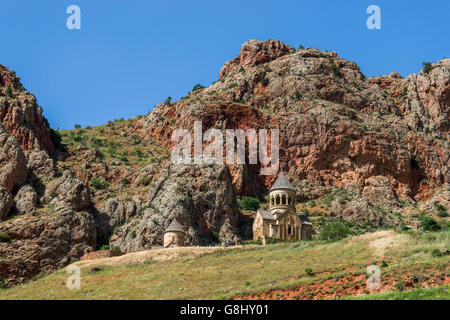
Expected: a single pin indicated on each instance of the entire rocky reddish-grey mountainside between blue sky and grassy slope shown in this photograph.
(368, 150)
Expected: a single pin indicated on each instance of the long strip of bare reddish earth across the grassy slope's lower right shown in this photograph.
(352, 285)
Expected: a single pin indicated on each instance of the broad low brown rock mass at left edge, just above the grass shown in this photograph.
(43, 244)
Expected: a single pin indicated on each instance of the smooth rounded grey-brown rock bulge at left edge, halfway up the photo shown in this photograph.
(13, 171)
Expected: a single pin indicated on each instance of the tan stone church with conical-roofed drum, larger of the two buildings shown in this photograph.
(281, 222)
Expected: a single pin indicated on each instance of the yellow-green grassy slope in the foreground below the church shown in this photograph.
(230, 273)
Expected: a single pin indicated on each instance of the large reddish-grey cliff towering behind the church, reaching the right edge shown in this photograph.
(337, 127)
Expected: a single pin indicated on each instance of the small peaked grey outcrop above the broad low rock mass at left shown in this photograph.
(68, 192)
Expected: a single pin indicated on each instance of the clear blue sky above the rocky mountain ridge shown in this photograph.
(131, 55)
